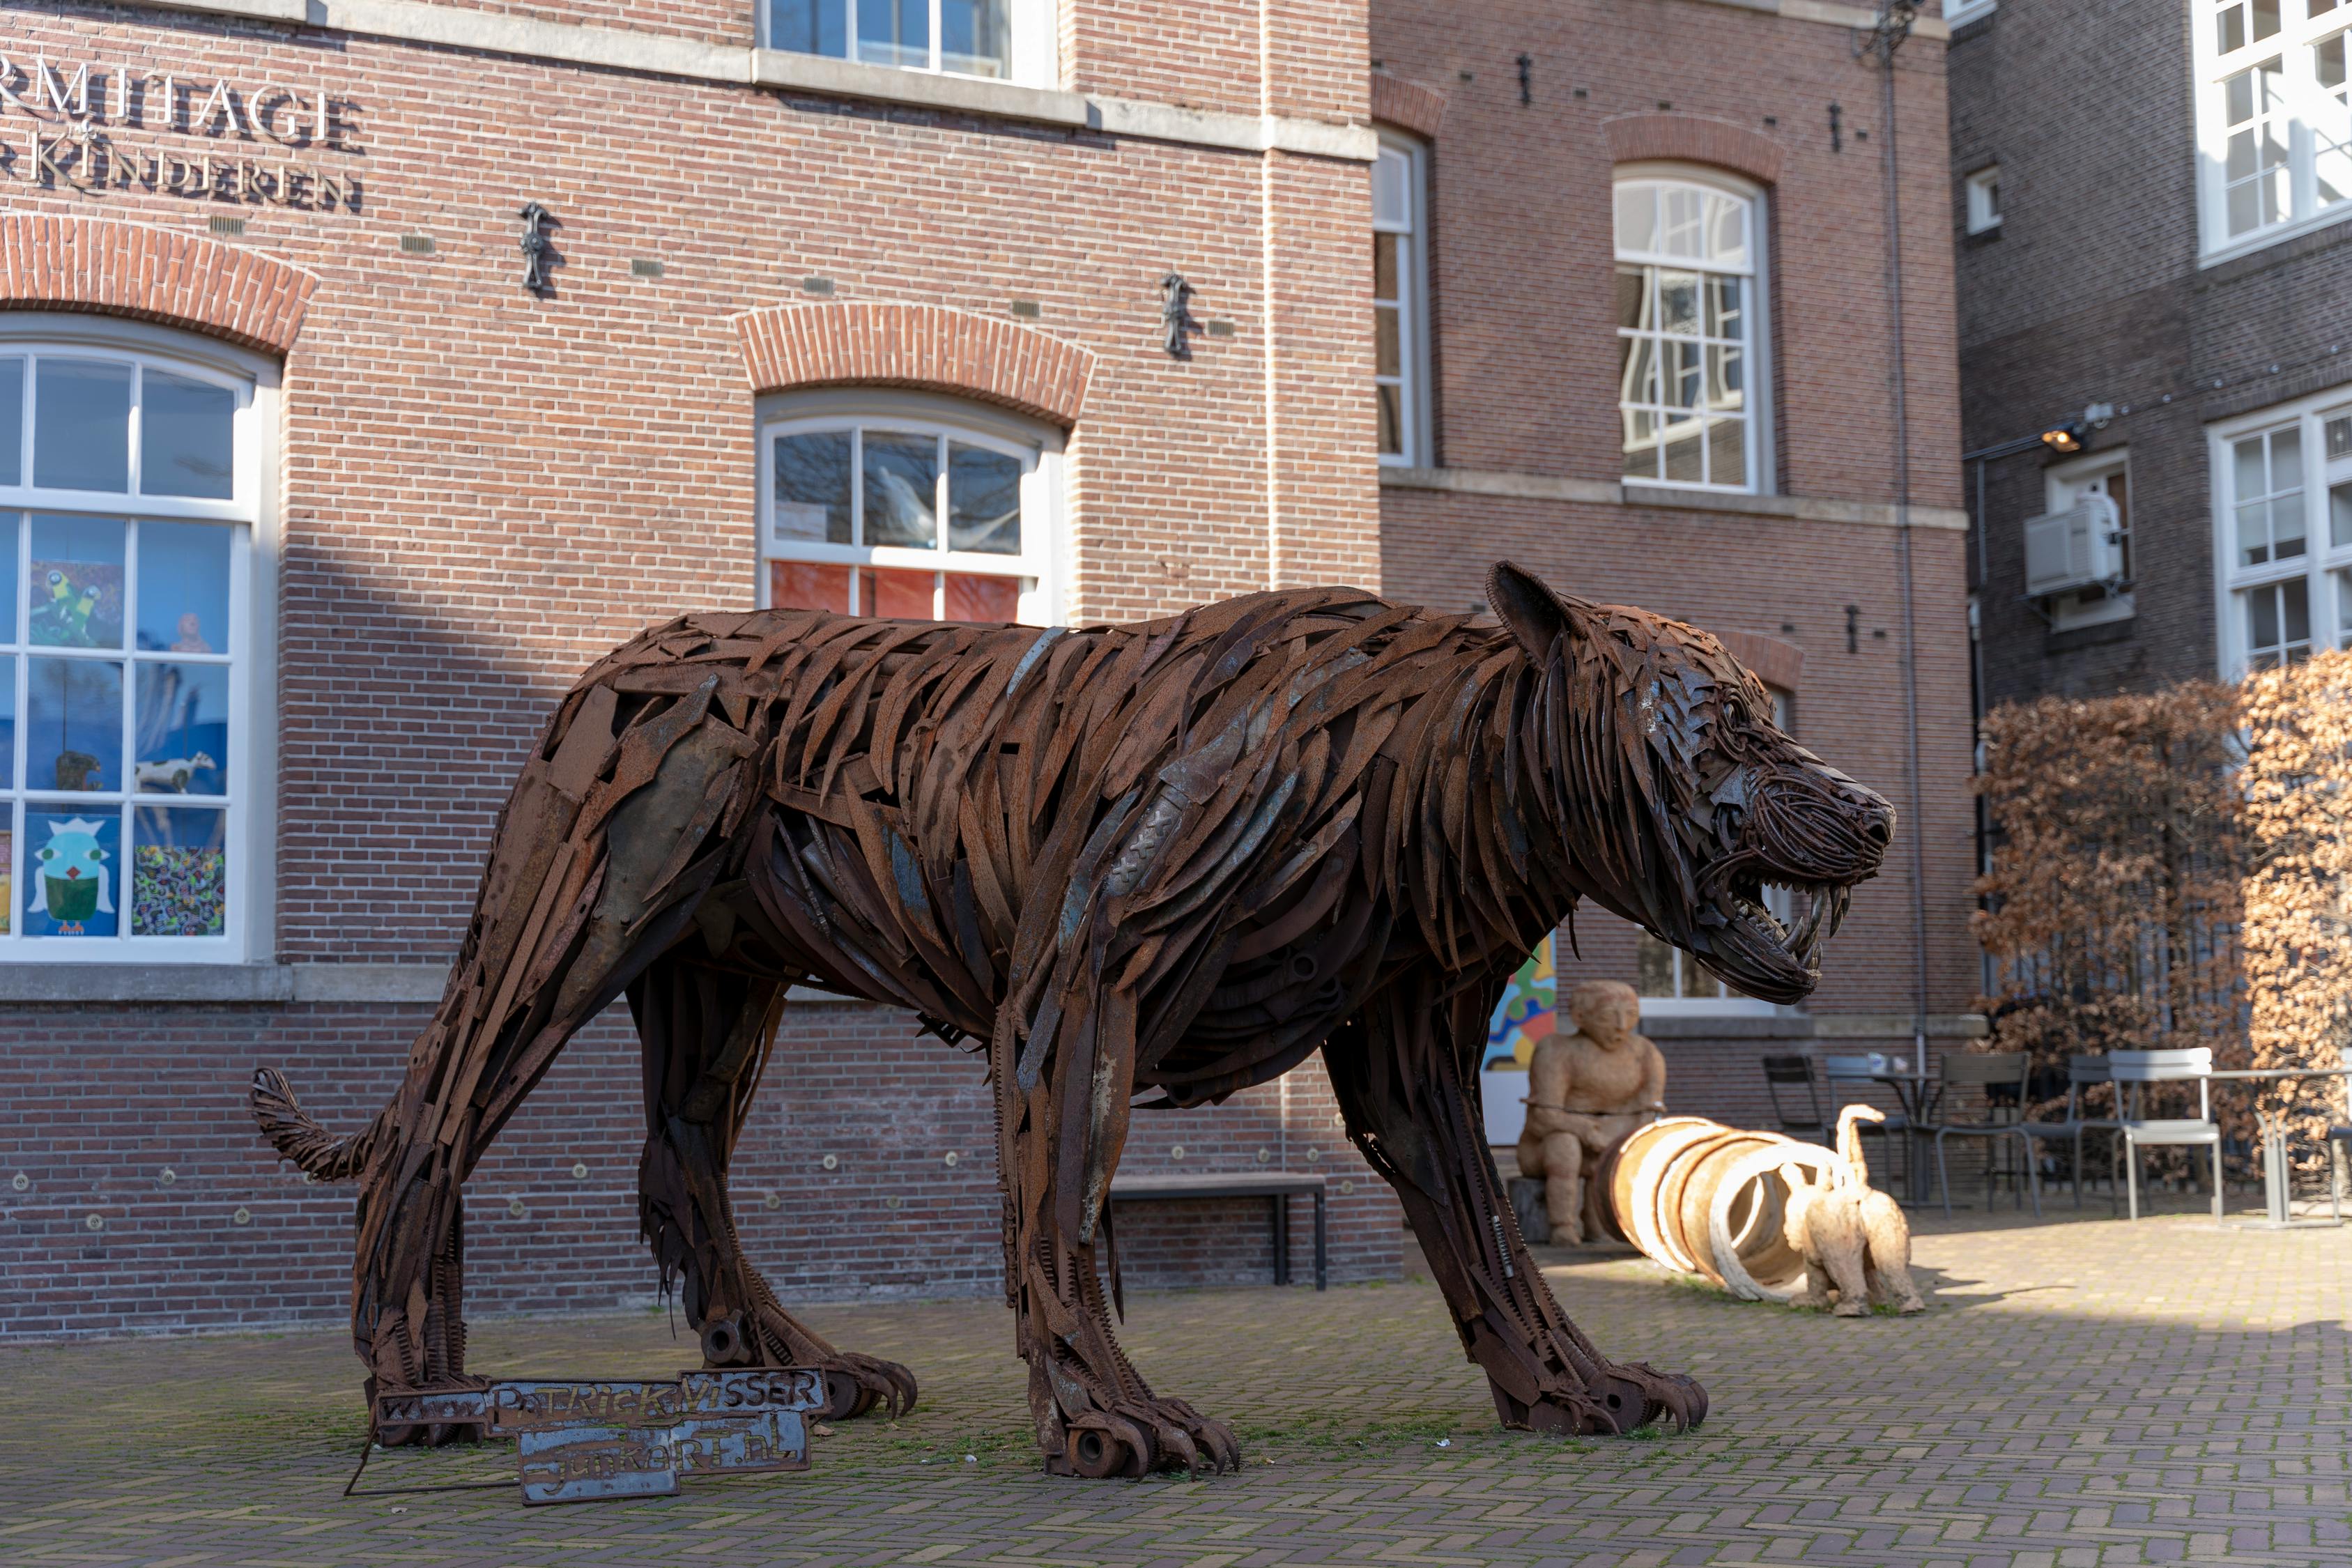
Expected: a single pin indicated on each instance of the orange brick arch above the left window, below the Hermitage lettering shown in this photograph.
(152, 274)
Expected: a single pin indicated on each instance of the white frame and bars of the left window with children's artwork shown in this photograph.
(253, 641)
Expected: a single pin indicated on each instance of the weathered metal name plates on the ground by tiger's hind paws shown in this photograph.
(582, 1440)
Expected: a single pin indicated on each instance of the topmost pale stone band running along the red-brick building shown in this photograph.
(457, 27)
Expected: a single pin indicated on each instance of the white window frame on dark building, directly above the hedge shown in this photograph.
(2320, 558)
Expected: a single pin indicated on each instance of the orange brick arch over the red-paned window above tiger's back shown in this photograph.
(916, 347)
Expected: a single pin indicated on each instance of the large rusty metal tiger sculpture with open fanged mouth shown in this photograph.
(1132, 864)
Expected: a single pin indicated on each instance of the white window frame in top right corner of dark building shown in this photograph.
(2308, 112)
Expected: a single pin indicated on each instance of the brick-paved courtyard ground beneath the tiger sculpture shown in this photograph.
(2080, 1393)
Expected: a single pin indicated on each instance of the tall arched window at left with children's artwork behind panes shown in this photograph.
(131, 492)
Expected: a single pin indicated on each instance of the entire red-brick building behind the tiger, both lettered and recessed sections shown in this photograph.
(382, 500)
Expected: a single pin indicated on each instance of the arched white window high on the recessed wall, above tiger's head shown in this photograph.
(1690, 307)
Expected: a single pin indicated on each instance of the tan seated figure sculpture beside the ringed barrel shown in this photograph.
(1584, 1094)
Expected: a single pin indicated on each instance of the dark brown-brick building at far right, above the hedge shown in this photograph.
(2153, 225)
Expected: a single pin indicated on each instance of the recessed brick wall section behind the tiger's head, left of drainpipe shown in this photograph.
(1532, 128)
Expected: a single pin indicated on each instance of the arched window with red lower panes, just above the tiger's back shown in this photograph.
(909, 507)
